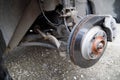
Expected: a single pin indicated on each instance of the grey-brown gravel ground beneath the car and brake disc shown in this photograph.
(37, 63)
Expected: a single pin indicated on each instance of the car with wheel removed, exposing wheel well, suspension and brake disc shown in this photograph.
(85, 26)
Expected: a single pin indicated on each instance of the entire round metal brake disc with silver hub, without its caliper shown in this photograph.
(87, 41)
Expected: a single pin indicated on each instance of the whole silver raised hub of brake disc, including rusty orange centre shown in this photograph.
(93, 43)
